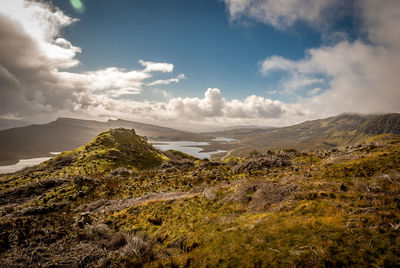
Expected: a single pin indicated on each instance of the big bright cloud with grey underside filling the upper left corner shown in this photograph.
(33, 62)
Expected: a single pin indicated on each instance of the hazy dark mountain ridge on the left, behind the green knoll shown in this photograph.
(66, 134)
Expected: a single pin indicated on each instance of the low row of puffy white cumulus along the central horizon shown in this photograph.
(213, 106)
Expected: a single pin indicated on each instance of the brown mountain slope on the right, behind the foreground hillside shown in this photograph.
(316, 134)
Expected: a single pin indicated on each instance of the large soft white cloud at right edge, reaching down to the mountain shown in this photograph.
(359, 76)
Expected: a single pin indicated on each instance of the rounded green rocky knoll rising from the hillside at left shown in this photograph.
(109, 150)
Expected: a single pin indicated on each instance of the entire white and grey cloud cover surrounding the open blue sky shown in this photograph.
(349, 76)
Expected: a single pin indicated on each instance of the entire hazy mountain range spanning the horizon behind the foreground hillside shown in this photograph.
(67, 134)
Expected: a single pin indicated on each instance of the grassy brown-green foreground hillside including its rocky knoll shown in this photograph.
(119, 202)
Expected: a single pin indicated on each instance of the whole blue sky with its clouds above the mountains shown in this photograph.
(198, 65)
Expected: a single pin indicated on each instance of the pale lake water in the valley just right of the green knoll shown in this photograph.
(188, 147)
